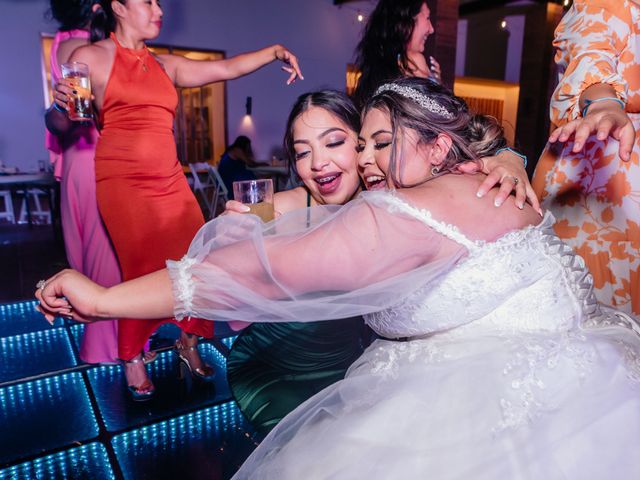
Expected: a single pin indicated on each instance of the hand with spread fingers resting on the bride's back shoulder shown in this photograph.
(506, 169)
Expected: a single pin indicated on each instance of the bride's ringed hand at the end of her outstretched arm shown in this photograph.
(69, 294)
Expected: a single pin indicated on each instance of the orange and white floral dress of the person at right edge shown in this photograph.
(594, 195)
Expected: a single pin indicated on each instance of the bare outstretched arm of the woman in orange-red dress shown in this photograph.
(193, 73)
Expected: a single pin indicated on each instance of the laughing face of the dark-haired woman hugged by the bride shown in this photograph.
(325, 156)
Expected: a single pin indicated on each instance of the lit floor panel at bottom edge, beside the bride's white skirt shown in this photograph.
(210, 443)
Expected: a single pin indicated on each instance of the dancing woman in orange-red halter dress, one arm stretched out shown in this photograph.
(150, 213)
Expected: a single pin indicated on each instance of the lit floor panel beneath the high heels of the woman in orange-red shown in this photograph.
(173, 396)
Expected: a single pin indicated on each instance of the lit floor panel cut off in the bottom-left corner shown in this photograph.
(88, 462)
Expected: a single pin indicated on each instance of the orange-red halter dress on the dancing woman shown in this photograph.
(143, 196)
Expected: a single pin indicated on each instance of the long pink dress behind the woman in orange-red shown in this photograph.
(86, 241)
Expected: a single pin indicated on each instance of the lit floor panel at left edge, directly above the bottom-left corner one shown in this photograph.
(44, 414)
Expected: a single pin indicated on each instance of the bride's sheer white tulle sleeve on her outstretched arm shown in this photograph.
(316, 264)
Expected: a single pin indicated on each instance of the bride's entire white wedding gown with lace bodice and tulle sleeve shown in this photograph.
(503, 364)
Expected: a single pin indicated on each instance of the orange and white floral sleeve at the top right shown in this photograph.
(590, 40)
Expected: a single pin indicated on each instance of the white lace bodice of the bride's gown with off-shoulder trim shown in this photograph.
(527, 280)
